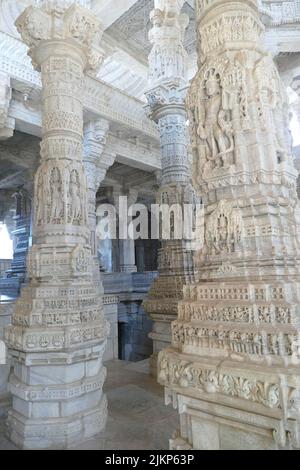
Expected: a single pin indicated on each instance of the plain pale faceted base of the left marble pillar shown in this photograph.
(57, 405)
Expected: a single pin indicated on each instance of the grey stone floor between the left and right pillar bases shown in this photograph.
(138, 418)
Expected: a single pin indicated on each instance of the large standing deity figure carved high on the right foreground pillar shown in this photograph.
(213, 125)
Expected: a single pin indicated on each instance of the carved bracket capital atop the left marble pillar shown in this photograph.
(67, 29)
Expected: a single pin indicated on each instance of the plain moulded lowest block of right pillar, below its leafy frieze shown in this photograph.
(210, 426)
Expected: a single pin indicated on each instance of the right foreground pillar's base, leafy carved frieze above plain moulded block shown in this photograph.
(231, 405)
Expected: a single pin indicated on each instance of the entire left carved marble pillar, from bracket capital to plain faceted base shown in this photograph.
(58, 331)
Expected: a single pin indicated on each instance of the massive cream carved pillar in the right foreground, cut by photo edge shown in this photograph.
(234, 366)
